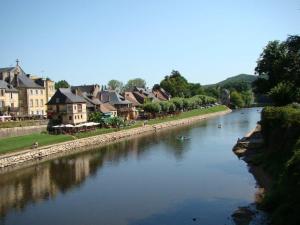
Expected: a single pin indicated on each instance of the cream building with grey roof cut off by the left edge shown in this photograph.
(9, 99)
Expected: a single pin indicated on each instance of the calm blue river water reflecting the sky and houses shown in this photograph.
(153, 179)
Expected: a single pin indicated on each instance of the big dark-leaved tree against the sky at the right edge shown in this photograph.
(279, 62)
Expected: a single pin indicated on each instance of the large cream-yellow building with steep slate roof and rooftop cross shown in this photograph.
(33, 93)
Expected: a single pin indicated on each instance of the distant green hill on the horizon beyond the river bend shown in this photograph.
(241, 79)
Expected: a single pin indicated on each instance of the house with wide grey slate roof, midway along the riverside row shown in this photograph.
(124, 107)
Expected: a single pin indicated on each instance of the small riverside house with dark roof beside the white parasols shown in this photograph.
(67, 108)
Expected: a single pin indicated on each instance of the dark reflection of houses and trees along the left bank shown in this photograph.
(45, 181)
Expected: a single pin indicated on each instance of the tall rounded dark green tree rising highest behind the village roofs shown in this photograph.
(176, 85)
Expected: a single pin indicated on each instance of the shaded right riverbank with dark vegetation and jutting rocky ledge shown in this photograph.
(275, 163)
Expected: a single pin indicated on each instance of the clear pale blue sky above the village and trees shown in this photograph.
(93, 41)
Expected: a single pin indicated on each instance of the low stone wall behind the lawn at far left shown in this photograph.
(19, 131)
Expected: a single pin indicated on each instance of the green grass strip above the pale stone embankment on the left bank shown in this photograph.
(26, 141)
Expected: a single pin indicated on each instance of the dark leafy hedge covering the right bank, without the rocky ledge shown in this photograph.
(281, 159)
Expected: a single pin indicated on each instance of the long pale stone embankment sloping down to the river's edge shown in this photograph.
(13, 159)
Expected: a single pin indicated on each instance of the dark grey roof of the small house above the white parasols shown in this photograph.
(65, 96)
